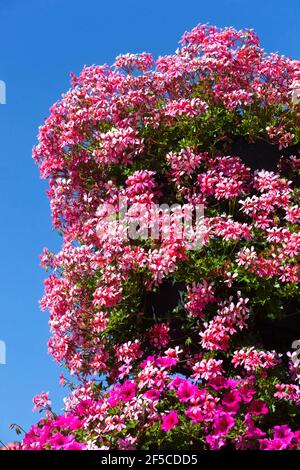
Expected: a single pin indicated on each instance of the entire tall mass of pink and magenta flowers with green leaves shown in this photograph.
(168, 342)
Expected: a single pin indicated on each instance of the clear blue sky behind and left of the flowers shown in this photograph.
(41, 42)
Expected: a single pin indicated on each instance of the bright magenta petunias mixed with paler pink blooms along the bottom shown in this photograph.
(209, 411)
